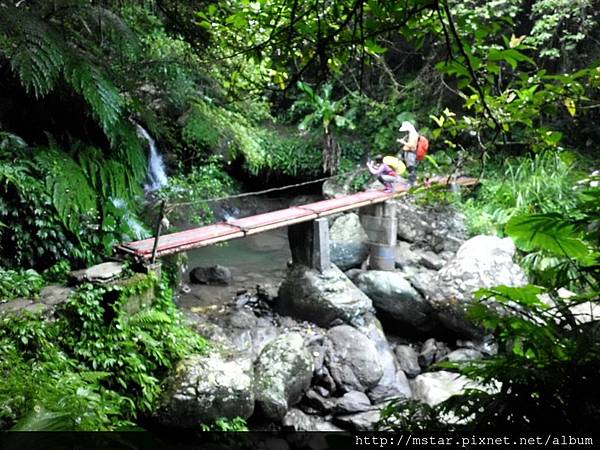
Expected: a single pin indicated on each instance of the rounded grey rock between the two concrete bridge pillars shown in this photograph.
(348, 242)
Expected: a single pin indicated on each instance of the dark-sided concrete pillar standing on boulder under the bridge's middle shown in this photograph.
(309, 244)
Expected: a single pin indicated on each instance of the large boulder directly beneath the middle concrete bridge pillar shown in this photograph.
(320, 298)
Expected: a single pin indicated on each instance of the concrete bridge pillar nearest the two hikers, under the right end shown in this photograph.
(381, 225)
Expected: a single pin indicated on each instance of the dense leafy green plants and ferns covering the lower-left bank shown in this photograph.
(98, 367)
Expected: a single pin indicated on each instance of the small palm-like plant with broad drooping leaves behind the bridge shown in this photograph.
(327, 114)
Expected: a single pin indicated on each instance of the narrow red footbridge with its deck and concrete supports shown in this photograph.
(315, 237)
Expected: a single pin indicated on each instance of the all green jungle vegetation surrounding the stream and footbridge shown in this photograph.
(245, 91)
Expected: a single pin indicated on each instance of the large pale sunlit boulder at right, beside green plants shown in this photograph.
(481, 262)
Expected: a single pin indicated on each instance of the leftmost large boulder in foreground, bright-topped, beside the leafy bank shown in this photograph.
(203, 388)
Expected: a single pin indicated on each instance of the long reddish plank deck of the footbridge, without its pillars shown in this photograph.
(225, 231)
